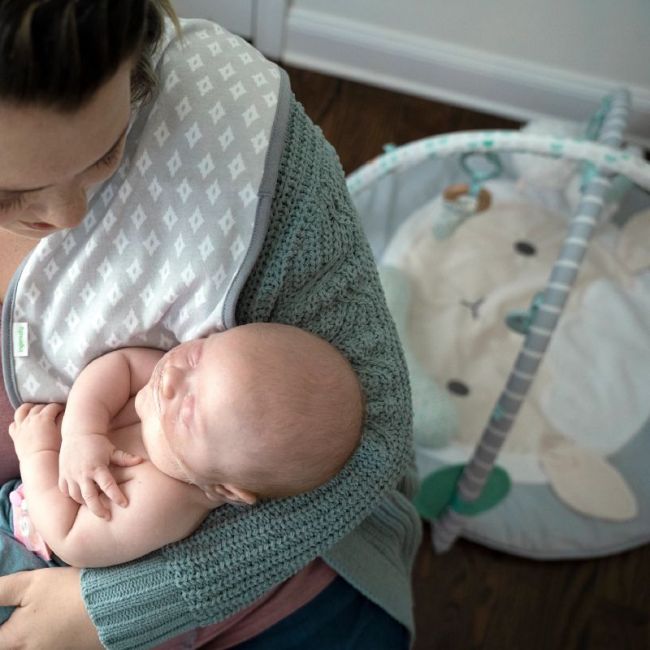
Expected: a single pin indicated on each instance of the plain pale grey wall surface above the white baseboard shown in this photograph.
(600, 38)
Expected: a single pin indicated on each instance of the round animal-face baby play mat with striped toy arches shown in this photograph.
(516, 265)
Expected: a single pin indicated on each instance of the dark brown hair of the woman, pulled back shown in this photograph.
(57, 53)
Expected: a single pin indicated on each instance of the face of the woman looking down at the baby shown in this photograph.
(49, 159)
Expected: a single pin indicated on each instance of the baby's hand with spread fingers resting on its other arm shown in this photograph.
(84, 473)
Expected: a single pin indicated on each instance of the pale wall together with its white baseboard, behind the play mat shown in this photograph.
(517, 57)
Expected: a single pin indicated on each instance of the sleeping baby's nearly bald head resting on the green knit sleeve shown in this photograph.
(259, 411)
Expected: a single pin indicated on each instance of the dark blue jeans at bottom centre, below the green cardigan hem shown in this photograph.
(339, 618)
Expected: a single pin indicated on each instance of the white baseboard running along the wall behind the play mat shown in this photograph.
(482, 81)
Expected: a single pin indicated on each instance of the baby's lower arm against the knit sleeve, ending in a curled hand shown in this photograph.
(162, 510)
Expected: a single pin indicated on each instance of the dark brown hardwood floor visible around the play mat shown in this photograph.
(472, 597)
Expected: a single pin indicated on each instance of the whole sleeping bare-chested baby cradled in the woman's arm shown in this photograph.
(256, 412)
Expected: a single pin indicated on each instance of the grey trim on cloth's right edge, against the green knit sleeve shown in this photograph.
(266, 193)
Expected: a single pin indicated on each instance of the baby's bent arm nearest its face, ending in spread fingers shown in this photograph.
(100, 391)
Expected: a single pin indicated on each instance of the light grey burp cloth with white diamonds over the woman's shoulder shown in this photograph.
(158, 257)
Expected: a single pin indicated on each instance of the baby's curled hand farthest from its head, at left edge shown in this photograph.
(35, 428)
